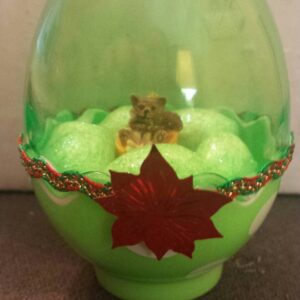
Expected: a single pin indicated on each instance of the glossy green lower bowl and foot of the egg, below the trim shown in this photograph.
(133, 272)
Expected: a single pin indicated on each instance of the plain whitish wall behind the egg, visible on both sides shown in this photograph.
(18, 20)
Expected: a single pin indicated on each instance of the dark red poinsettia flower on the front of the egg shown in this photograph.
(159, 209)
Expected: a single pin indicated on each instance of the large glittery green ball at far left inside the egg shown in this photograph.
(79, 147)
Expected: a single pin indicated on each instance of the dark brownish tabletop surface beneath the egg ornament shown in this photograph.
(35, 263)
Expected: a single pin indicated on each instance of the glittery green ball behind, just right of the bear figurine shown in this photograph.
(198, 124)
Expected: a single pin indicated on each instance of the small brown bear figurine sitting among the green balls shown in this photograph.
(150, 123)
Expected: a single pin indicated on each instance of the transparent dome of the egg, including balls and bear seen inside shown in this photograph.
(206, 80)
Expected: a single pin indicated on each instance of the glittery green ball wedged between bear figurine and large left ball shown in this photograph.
(118, 119)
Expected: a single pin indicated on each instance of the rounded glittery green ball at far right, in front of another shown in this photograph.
(227, 155)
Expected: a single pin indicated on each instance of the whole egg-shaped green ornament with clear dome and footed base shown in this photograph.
(156, 133)
